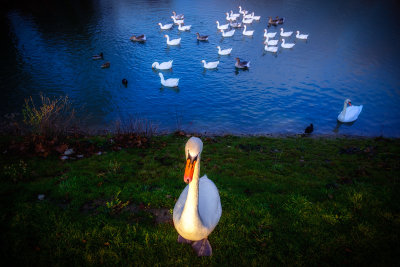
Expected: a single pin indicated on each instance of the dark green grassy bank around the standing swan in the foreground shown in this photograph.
(285, 201)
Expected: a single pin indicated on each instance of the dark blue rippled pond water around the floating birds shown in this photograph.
(352, 52)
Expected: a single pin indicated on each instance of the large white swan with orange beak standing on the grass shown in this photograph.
(198, 209)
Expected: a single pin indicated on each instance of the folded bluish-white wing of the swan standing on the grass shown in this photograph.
(209, 203)
